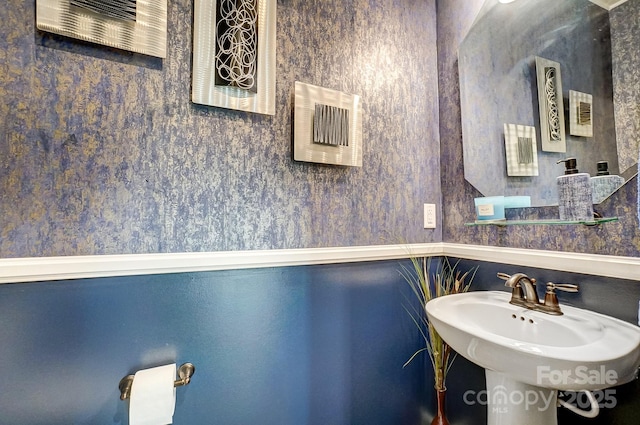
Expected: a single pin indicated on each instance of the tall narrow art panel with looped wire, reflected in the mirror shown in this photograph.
(550, 102)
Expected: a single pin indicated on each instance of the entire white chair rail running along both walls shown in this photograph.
(61, 268)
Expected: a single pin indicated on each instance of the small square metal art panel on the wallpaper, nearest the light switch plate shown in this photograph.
(327, 126)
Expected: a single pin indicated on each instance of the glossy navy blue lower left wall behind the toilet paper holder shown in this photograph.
(297, 345)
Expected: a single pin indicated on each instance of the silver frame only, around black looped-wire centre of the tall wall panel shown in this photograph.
(205, 47)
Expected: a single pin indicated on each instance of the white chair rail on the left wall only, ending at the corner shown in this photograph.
(79, 267)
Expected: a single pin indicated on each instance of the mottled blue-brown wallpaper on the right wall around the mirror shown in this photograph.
(622, 238)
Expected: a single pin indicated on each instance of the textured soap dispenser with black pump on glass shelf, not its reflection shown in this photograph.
(575, 200)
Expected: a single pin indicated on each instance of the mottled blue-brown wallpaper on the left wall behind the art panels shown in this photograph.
(101, 151)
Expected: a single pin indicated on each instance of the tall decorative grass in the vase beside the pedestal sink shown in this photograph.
(425, 286)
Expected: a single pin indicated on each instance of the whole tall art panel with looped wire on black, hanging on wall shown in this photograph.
(234, 54)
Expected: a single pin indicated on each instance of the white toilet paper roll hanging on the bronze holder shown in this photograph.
(153, 396)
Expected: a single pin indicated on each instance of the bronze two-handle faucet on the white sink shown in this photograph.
(524, 293)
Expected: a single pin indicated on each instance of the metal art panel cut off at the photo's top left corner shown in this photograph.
(135, 25)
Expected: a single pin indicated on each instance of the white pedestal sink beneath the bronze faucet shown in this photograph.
(530, 355)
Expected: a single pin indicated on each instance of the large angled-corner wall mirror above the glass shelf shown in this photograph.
(499, 85)
